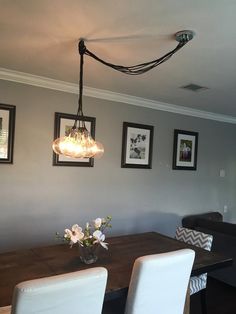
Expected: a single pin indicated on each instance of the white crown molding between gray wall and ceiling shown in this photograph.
(44, 82)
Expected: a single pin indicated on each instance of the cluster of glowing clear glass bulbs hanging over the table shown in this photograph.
(78, 144)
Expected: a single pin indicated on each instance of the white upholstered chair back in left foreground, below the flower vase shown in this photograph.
(80, 292)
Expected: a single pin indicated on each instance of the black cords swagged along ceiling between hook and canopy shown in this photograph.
(138, 68)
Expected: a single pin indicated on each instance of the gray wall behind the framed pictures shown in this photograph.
(38, 199)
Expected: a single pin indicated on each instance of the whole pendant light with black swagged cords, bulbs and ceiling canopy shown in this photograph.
(79, 143)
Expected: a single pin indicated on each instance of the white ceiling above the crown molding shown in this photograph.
(41, 37)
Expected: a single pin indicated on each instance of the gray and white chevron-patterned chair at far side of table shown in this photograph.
(204, 241)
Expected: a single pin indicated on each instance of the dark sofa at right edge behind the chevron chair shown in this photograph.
(224, 240)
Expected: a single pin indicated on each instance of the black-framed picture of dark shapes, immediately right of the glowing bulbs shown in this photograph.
(137, 145)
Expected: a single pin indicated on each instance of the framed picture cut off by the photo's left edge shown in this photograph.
(7, 131)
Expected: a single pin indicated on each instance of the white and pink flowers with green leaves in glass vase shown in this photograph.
(92, 234)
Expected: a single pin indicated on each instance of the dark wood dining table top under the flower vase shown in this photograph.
(21, 265)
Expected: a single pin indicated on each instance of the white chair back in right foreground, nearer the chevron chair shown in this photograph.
(159, 283)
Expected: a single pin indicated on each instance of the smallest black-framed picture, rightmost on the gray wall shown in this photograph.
(185, 150)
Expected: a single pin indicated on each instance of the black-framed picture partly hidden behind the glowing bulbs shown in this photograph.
(62, 126)
